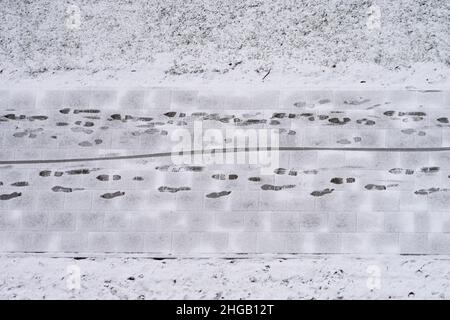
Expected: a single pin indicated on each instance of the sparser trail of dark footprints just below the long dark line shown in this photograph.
(292, 173)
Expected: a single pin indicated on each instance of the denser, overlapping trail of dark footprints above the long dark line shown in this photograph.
(86, 122)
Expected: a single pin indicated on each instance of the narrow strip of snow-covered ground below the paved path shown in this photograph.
(302, 277)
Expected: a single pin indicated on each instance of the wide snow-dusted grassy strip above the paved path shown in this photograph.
(222, 43)
